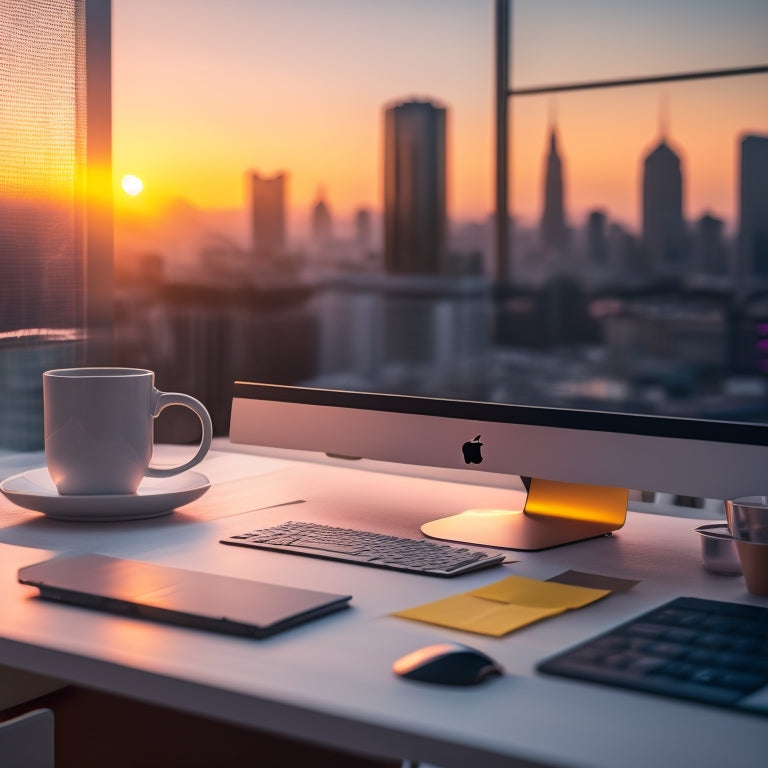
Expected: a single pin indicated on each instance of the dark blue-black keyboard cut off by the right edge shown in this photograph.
(703, 650)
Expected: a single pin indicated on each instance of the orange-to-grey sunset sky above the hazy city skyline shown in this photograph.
(205, 90)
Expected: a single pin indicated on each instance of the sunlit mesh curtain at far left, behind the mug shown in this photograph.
(42, 156)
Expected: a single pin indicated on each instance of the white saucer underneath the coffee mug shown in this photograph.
(35, 490)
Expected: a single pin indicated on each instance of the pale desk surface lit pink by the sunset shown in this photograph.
(330, 680)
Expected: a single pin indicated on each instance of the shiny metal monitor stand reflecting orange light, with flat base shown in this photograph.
(555, 513)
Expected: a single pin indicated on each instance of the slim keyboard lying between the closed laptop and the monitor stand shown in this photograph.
(367, 548)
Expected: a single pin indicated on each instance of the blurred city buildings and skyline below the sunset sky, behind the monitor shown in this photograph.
(672, 319)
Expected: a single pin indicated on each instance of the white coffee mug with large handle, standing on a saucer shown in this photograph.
(99, 428)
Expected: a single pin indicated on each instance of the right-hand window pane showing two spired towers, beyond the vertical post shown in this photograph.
(636, 260)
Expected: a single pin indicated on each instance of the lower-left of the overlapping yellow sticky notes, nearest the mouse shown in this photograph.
(475, 614)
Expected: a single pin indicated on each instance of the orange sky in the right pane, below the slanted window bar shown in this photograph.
(604, 136)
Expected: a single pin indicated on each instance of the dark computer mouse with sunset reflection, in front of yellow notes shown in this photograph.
(447, 664)
